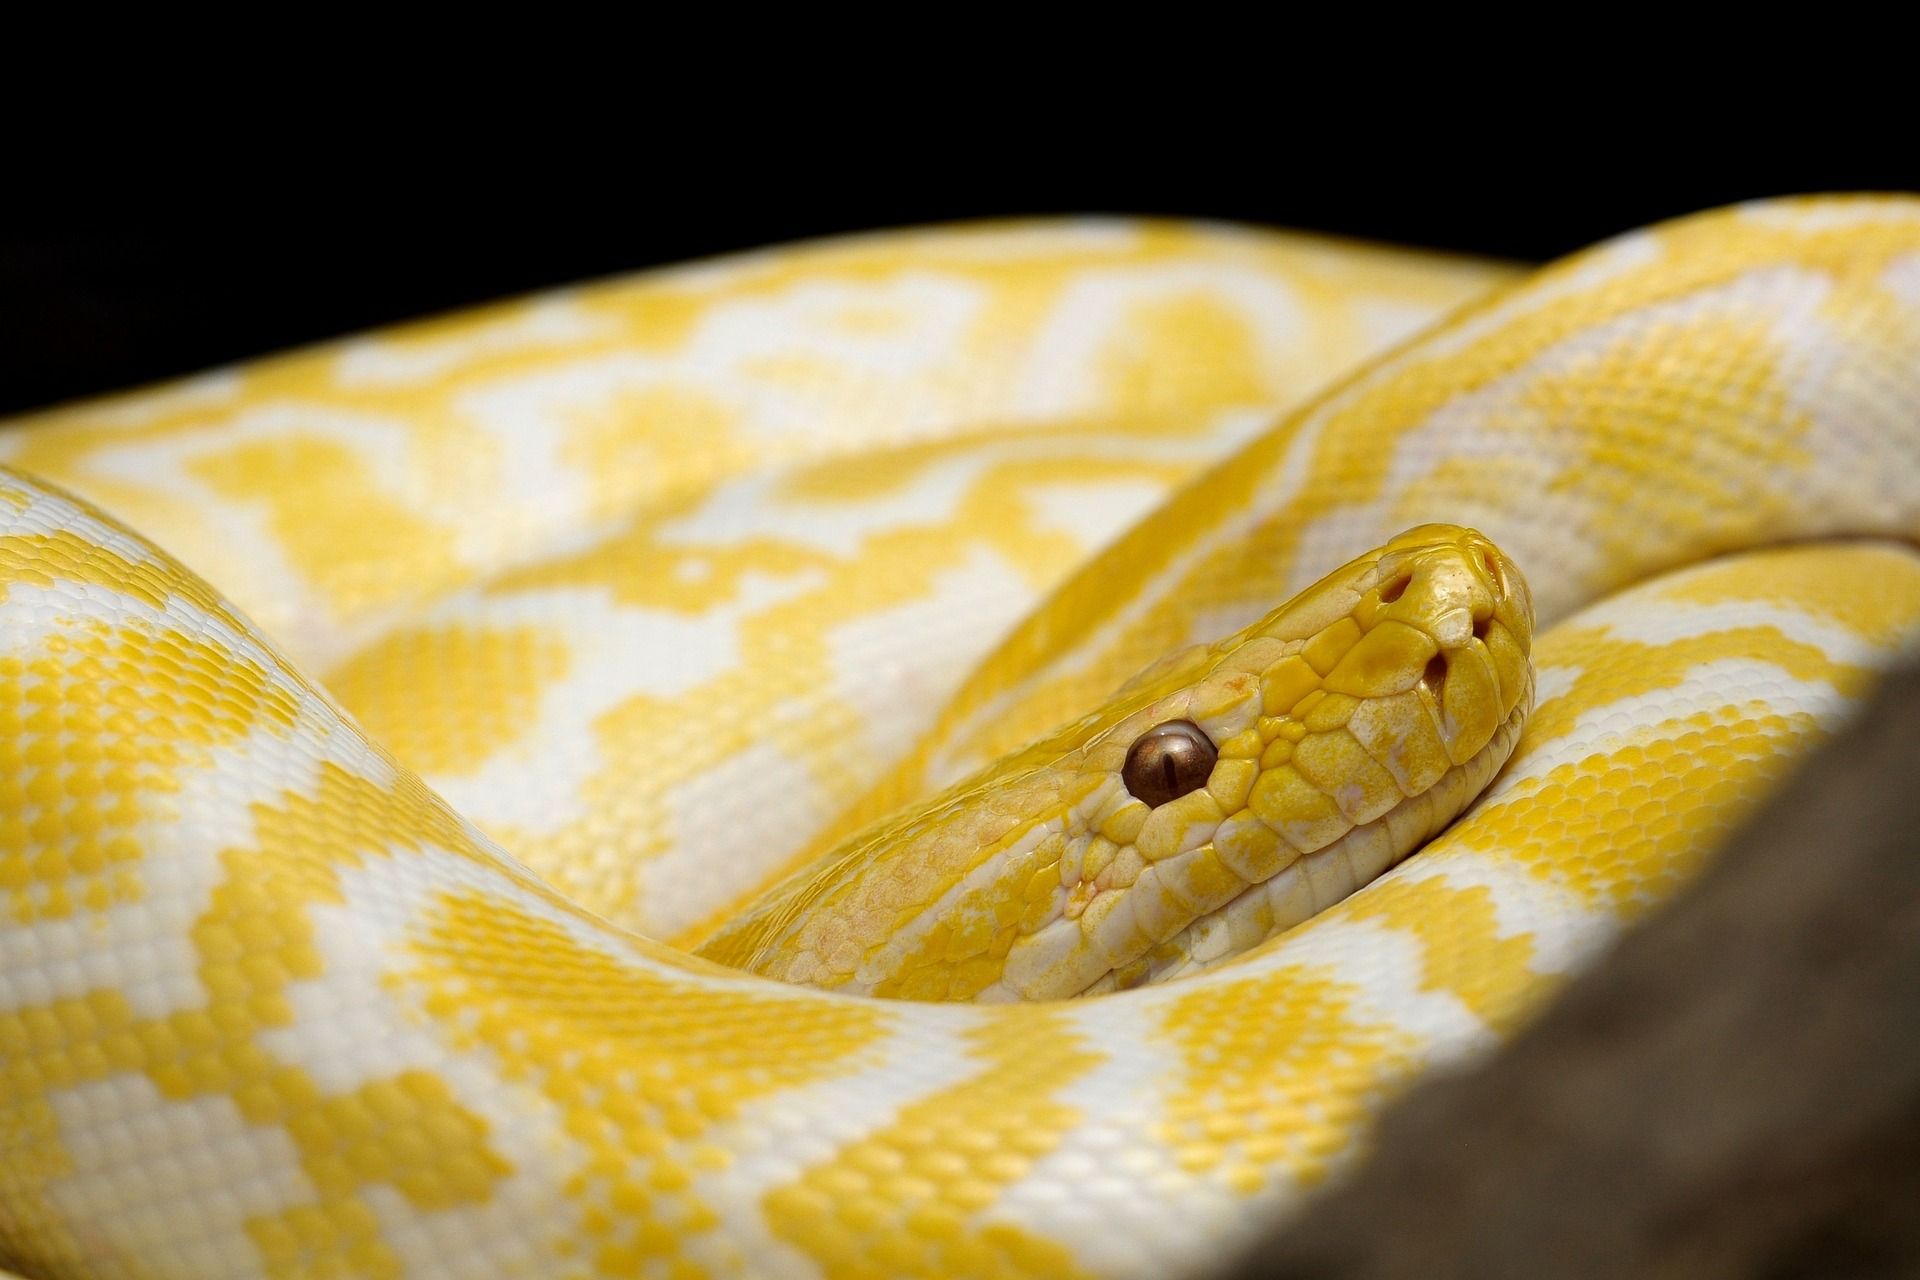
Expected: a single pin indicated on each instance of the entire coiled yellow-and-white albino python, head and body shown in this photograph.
(354, 878)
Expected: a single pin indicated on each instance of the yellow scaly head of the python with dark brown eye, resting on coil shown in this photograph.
(1222, 797)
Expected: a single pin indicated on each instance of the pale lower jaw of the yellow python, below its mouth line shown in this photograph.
(1332, 874)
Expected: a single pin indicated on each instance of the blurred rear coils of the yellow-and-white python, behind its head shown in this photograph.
(652, 579)
